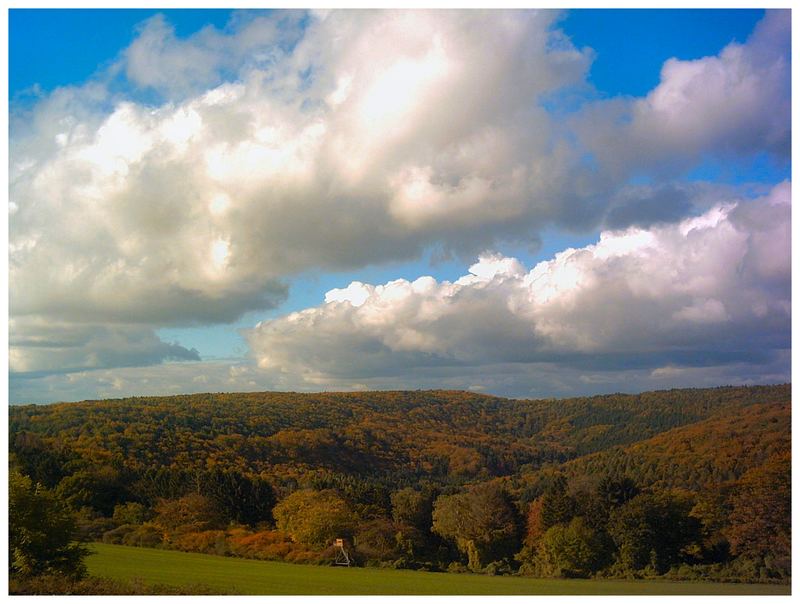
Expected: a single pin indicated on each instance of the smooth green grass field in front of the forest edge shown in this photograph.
(254, 577)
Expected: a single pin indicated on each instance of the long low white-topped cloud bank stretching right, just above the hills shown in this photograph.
(711, 290)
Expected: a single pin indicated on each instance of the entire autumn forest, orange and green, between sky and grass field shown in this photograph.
(693, 481)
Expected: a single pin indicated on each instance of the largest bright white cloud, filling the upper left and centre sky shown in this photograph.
(322, 154)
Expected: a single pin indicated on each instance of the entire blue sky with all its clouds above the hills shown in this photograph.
(521, 203)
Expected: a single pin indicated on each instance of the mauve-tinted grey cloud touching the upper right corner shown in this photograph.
(735, 103)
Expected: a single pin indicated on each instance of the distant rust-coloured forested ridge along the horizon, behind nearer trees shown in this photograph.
(446, 435)
